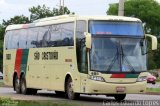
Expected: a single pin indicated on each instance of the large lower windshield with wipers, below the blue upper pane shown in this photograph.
(117, 55)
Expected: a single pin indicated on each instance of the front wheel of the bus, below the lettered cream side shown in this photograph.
(69, 90)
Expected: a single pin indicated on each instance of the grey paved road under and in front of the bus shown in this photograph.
(84, 99)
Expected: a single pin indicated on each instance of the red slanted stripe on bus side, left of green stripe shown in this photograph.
(17, 67)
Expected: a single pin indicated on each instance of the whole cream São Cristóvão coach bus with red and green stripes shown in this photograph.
(75, 55)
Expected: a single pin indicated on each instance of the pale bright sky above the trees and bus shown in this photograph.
(11, 8)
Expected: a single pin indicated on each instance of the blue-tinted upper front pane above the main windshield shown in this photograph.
(116, 28)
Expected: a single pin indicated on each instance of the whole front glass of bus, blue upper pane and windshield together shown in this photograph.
(113, 53)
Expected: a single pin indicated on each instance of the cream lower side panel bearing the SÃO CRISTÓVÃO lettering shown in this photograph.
(48, 67)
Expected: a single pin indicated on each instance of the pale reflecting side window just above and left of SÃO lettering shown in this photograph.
(32, 38)
